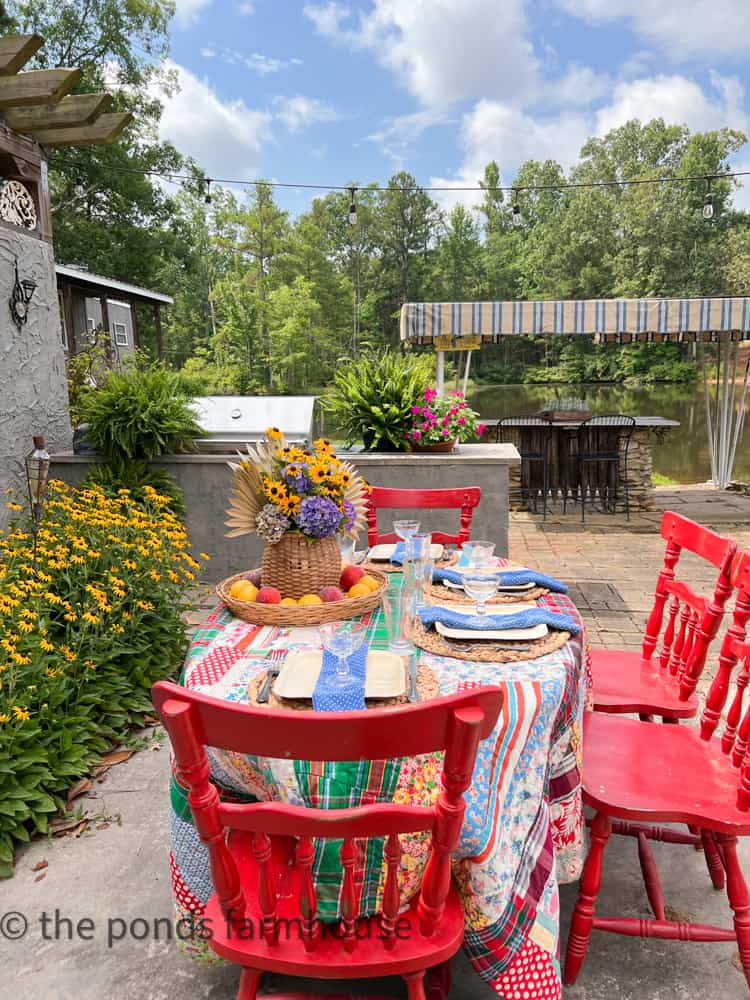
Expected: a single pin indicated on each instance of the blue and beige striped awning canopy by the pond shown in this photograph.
(610, 320)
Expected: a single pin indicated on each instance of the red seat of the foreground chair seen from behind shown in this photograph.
(245, 946)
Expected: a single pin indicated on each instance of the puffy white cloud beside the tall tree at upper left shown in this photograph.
(226, 138)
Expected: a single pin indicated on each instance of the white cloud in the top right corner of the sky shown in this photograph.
(682, 29)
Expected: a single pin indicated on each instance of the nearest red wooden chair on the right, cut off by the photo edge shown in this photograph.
(636, 774)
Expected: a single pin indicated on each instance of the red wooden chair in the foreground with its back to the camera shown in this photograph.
(249, 925)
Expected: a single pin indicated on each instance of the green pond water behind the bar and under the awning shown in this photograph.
(683, 455)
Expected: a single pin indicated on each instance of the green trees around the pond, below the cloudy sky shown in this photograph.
(267, 302)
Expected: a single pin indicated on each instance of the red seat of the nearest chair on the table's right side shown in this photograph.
(638, 771)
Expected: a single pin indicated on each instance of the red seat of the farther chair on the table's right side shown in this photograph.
(625, 682)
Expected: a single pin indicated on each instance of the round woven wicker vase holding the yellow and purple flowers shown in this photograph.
(297, 565)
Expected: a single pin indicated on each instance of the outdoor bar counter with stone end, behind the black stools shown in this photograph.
(647, 432)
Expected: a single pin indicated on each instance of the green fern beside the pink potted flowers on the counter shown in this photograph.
(372, 396)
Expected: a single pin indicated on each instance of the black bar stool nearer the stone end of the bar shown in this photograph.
(603, 443)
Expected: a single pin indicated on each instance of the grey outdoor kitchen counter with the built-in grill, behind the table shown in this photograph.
(206, 479)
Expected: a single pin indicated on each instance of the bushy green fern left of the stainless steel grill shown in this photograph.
(139, 413)
